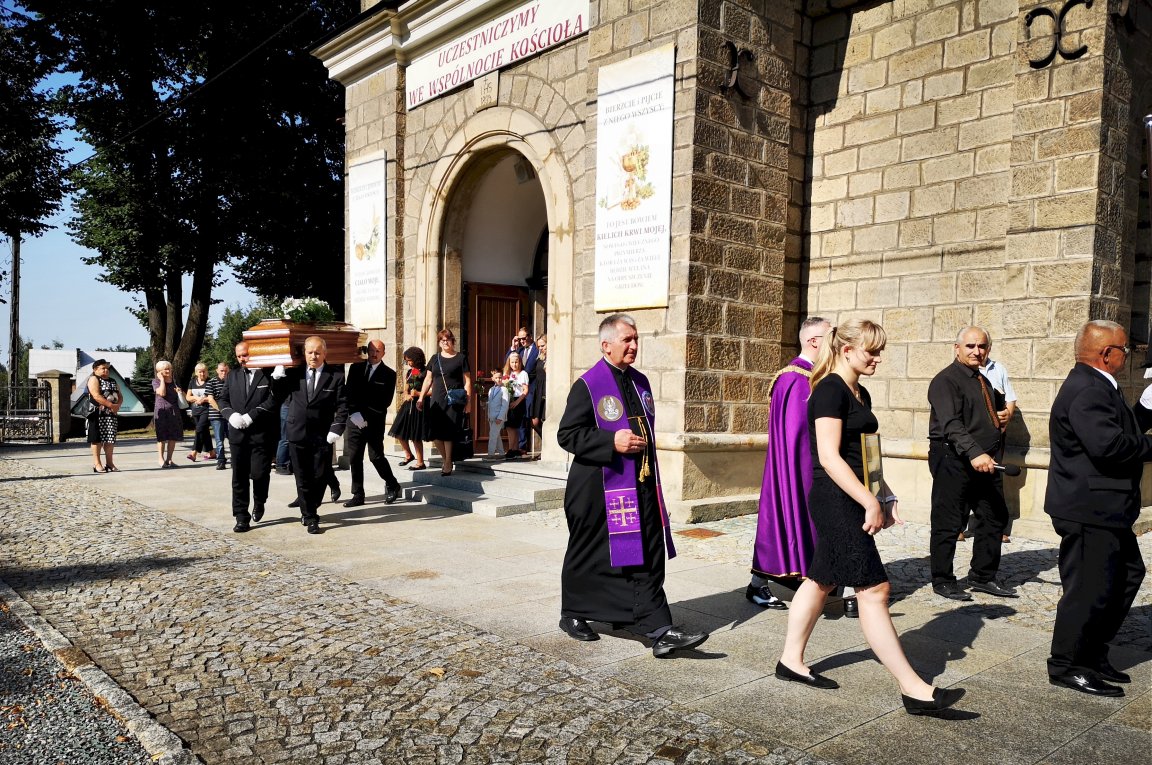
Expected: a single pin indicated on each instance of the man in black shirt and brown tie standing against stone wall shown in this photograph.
(964, 438)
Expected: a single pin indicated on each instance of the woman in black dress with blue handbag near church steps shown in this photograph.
(448, 372)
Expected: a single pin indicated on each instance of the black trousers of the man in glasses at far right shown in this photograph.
(1101, 571)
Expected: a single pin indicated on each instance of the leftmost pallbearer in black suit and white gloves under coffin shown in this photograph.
(254, 427)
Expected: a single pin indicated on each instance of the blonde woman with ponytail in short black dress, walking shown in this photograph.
(847, 518)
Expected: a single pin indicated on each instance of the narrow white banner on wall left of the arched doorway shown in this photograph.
(368, 278)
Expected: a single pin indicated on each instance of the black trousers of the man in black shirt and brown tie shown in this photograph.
(956, 488)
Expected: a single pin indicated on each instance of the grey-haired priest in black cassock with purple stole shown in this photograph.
(618, 527)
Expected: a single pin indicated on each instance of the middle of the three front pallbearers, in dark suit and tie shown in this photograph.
(317, 413)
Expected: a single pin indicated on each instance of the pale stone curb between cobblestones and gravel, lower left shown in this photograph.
(165, 747)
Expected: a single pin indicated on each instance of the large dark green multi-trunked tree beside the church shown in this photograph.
(218, 141)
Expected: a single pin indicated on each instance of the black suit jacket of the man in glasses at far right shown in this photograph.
(1098, 452)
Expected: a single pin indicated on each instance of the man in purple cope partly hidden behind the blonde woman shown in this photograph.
(785, 534)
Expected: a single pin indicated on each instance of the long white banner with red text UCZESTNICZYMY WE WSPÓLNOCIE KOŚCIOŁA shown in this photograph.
(495, 44)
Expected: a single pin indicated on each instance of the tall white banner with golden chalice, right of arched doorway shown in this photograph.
(634, 181)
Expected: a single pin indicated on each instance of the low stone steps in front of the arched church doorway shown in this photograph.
(492, 489)
